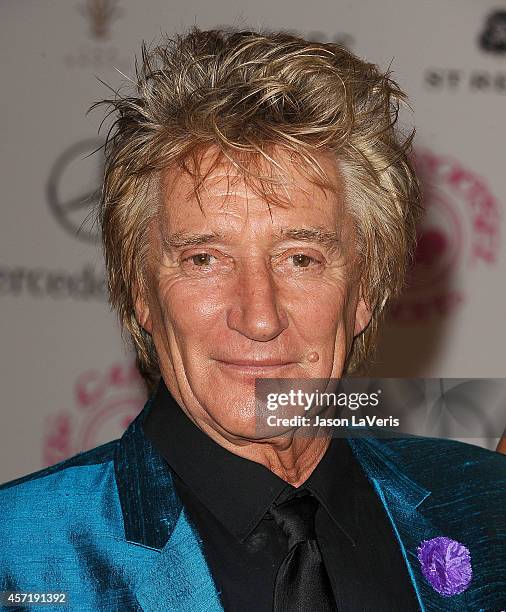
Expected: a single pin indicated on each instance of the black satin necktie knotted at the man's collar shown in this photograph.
(302, 583)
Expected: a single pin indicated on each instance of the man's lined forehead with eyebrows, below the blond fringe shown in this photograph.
(229, 210)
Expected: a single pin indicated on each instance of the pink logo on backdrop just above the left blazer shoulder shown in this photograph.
(105, 402)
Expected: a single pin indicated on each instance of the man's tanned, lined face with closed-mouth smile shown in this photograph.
(239, 292)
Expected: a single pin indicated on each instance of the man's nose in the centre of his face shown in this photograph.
(256, 310)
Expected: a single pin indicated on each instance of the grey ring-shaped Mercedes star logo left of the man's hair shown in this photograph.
(73, 188)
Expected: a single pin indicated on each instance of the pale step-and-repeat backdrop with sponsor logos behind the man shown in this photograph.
(68, 380)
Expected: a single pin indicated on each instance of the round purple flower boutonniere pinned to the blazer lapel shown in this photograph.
(446, 564)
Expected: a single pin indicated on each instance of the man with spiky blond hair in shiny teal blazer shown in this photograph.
(258, 211)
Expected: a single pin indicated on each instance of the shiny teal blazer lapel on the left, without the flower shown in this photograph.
(178, 578)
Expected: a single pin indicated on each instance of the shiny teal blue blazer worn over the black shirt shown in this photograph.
(107, 527)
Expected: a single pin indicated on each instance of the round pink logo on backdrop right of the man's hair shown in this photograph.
(459, 231)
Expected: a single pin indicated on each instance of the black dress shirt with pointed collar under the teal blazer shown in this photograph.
(228, 498)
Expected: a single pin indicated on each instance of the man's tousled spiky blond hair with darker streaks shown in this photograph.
(245, 93)
